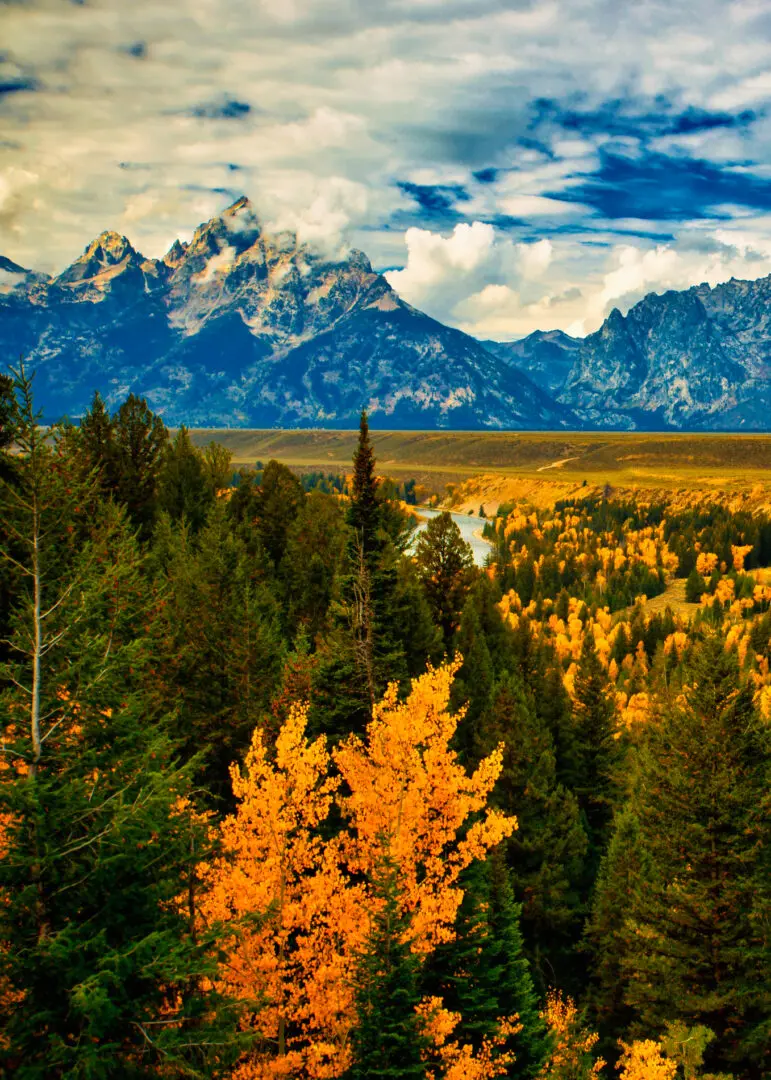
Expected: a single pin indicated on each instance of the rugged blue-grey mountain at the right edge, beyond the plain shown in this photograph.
(693, 360)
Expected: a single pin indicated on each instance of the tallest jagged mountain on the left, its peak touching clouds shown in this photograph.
(241, 329)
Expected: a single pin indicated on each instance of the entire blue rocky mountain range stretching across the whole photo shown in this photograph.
(242, 329)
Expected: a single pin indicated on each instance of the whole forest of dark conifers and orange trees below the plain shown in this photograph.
(290, 791)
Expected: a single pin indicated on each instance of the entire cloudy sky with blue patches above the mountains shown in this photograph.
(511, 166)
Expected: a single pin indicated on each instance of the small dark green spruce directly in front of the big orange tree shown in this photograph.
(387, 1041)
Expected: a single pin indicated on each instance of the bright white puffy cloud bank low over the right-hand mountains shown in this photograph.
(502, 290)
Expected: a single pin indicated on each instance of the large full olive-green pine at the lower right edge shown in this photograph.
(695, 942)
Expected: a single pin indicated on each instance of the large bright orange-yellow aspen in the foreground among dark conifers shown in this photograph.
(296, 882)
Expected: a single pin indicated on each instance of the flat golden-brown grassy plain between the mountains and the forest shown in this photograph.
(540, 466)
